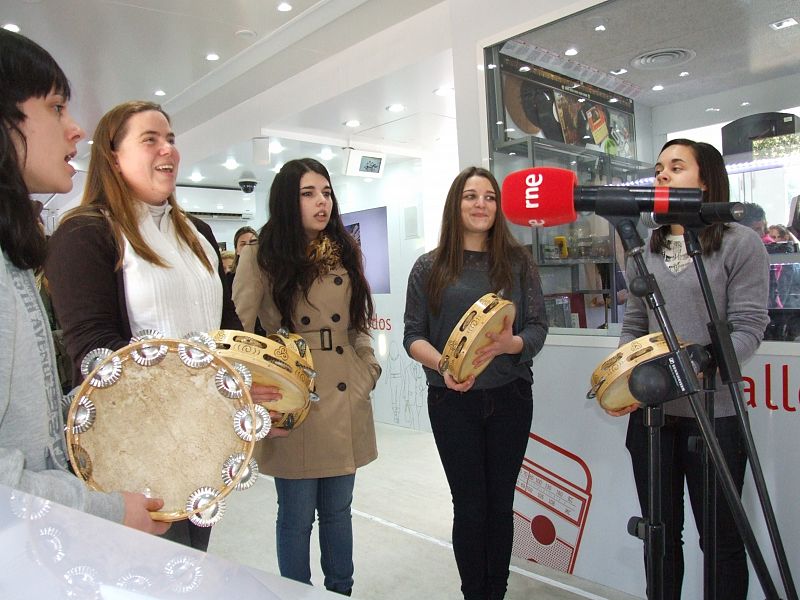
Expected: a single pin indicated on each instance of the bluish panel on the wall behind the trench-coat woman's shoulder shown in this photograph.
(369, 229)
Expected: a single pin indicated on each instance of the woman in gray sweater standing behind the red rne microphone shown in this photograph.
(737, 267)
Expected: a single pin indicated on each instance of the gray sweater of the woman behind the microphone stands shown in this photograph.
(739, 278)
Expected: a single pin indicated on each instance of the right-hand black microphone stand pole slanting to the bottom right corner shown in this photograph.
(730, 372)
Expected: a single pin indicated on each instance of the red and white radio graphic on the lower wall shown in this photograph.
(554, 490)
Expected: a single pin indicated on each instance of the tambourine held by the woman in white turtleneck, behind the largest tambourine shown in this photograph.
(282, 360)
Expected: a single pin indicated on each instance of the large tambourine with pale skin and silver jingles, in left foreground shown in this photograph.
(168, 418)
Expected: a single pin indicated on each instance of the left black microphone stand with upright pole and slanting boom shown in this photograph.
(652, 528)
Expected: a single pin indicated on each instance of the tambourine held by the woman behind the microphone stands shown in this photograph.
(610, 379)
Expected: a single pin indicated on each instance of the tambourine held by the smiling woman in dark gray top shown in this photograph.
(484, 316)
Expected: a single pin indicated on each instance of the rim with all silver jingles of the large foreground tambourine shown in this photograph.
(103, 368)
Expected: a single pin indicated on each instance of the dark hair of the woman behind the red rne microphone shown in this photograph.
(715, 177)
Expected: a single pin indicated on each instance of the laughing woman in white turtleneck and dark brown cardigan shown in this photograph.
(128, 258)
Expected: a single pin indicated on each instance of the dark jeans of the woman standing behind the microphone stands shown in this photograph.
(679, 463)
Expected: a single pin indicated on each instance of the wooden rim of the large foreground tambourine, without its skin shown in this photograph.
(124, 356)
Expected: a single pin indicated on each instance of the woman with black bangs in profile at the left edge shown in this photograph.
(37, 138)
